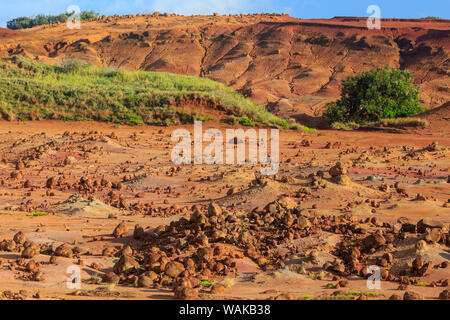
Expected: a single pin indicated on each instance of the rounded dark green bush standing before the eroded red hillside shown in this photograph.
(377, 94)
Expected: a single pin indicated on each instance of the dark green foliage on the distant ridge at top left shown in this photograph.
(41, 19)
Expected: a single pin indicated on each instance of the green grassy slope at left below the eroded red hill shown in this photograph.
(30, 90)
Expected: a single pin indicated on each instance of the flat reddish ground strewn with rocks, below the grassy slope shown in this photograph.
(107, 199)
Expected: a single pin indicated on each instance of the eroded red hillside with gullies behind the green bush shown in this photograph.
(294, 66)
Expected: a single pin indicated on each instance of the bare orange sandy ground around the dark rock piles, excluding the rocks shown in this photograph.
(136, 161)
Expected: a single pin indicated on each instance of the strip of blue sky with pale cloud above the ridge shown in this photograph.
(10, 9)
